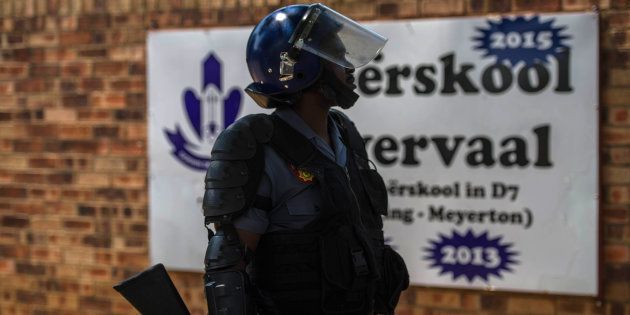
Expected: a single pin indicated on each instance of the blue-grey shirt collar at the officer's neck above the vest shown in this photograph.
(297, 123)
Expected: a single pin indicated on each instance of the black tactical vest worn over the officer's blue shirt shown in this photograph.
(330, 266)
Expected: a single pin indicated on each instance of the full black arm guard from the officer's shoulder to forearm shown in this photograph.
(236, 166)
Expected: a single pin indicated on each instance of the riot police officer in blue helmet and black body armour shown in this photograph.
(293, 195)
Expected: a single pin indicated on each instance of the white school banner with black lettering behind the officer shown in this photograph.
(485, 130)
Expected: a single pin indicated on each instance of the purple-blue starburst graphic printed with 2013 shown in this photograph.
(471, 256)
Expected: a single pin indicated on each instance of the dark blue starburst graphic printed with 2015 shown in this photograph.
(521, 40)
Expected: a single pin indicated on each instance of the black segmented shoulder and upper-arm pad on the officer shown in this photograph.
(236, 165)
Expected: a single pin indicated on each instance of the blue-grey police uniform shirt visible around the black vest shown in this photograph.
(294, 201)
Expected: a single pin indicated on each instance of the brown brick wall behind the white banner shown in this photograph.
(73, 165)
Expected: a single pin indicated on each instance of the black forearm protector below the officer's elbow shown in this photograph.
(227, 285)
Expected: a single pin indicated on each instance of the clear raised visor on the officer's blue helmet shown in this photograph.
(332, 36)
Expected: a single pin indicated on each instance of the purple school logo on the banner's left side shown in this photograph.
(208, 112)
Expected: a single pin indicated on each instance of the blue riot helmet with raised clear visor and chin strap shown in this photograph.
(287, 50)
